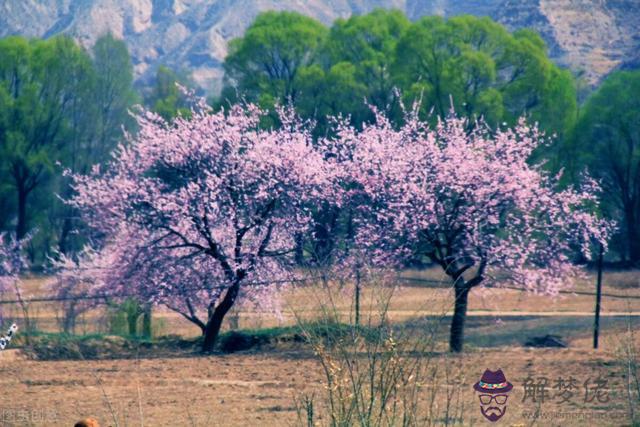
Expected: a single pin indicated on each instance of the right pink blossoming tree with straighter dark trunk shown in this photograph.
(468, 202)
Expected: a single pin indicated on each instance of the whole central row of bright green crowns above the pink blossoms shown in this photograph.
(474, 63)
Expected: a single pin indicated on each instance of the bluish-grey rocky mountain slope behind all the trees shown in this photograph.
(593, 36)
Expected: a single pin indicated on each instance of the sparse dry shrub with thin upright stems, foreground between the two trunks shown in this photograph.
(376, 373)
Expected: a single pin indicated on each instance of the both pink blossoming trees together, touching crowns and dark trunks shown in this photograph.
(207, 210)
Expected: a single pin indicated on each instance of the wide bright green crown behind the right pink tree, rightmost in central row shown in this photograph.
(485, 71)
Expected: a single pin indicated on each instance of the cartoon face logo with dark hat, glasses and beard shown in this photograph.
(493, 389)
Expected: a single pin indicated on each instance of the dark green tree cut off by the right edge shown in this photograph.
(607, 142)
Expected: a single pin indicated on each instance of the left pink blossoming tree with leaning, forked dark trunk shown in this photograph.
(202, 211)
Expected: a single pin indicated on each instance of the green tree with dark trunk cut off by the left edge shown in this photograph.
(39, 80)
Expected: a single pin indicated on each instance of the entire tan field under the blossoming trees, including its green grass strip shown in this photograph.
(261, 385)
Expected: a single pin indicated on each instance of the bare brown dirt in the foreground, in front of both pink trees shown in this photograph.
(250, 388)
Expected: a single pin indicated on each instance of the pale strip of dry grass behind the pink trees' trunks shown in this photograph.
(409, 302)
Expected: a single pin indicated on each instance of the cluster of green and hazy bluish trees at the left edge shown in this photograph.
(58, 106)
